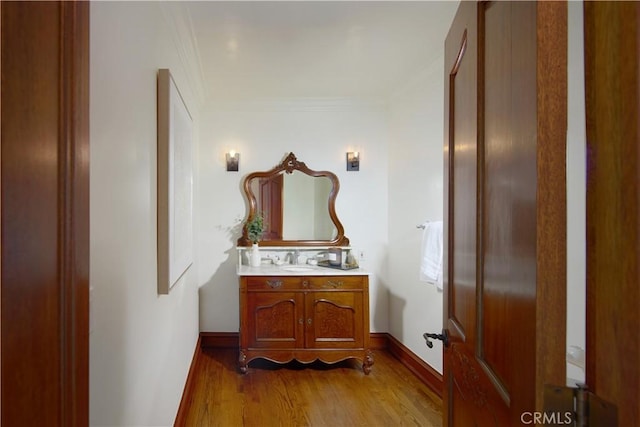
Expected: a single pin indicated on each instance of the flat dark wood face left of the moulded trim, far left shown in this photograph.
(30, 295)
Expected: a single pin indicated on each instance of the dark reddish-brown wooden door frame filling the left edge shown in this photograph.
(45, 214)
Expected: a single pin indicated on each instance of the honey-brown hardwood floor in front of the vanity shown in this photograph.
(308, 395)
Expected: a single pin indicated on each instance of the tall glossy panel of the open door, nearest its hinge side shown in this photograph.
(508, 285)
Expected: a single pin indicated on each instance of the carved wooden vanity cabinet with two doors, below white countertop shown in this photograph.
(305, 318)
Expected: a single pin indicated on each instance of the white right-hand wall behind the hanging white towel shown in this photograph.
(415, 196)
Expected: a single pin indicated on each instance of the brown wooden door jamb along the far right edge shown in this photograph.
(612, 67)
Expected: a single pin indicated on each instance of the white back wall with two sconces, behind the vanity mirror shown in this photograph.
(319, 132)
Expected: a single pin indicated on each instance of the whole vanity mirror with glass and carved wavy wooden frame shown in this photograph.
(297, 204)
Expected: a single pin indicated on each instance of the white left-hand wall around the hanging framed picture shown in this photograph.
(141, 344)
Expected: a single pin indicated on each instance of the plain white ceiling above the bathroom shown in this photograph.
(286, 49)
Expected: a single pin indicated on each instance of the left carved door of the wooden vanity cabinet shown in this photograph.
(275, 319)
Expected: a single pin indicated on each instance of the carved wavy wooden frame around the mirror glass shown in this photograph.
(288, 166)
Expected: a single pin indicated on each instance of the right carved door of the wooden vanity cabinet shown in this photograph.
(334, 319)
